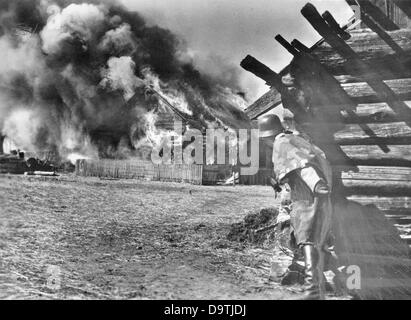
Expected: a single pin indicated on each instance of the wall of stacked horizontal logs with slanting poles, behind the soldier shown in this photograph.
(373, 128)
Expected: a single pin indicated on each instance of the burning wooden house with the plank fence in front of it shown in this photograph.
(164, 117)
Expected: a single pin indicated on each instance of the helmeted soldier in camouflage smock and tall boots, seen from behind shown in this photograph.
(304, 168)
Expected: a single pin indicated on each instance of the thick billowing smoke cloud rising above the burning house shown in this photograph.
(73, 76)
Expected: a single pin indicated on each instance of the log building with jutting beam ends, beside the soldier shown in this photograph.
(357, 81)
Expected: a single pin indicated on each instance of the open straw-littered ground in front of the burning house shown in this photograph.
(87, 238)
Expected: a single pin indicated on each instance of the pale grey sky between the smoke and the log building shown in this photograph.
(228, 30)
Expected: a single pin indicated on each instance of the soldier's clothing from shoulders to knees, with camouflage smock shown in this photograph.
(310, 216)
